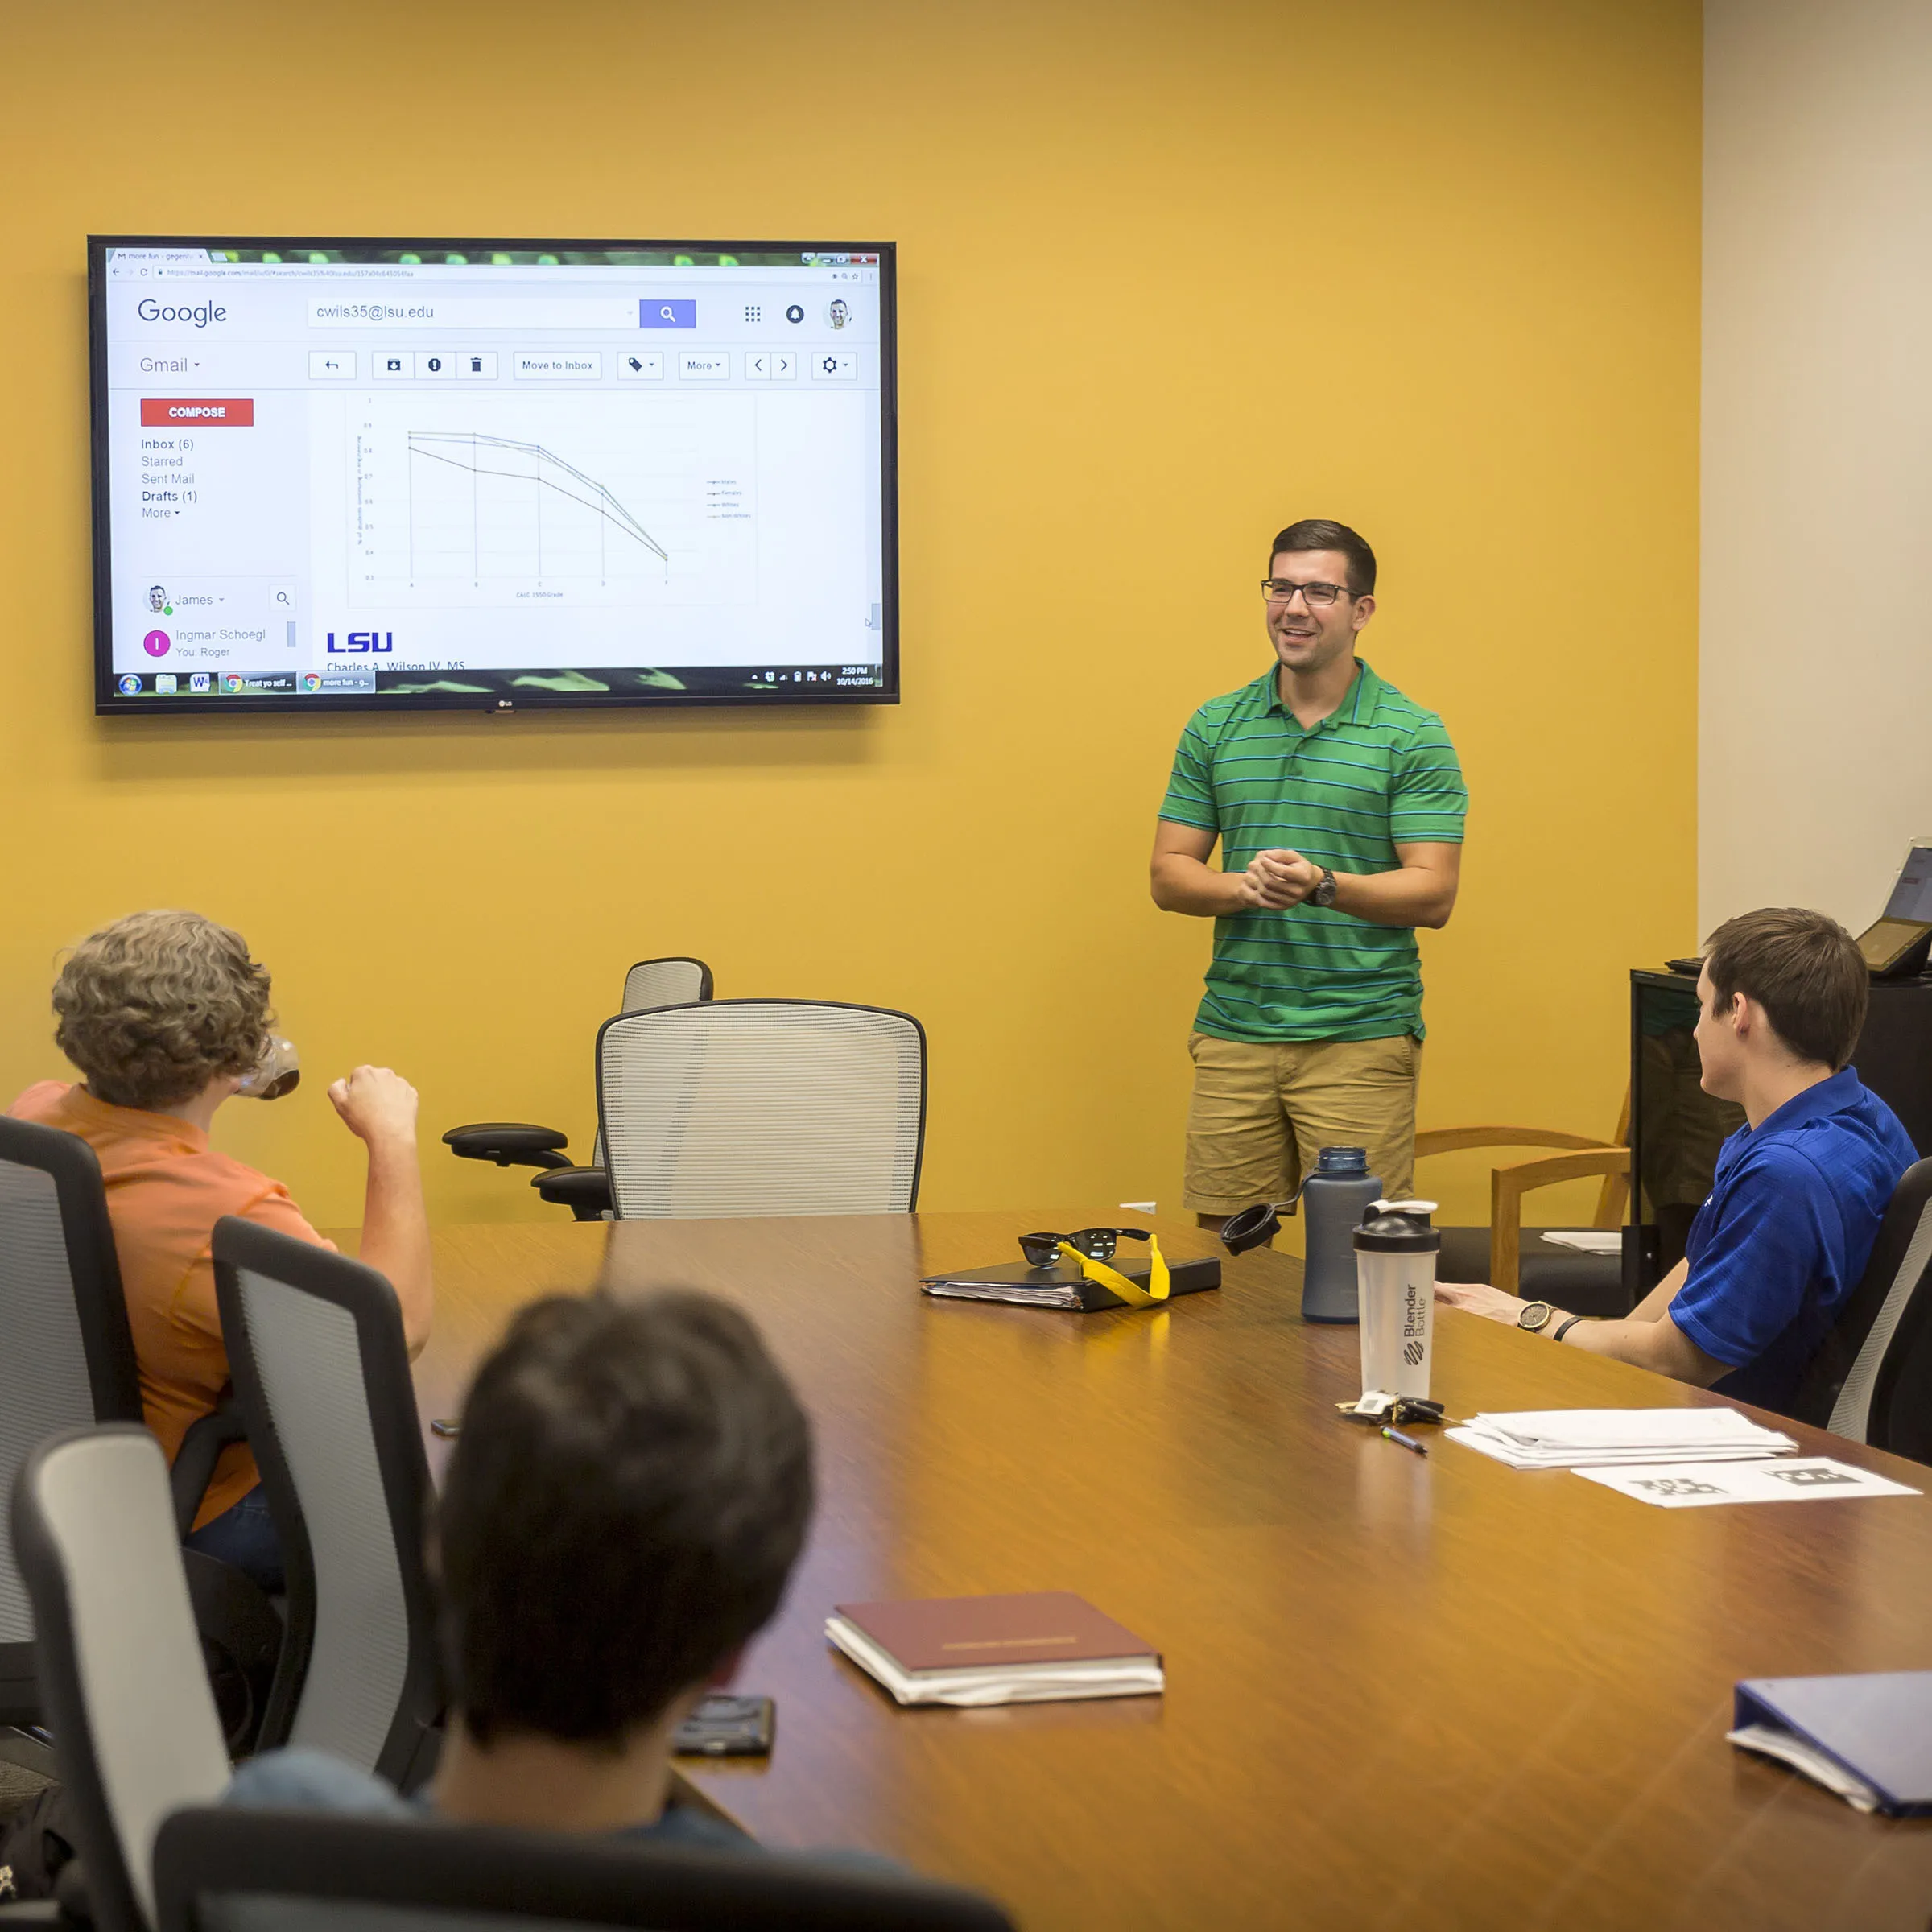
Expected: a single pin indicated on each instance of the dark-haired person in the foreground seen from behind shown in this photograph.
(629, 1494)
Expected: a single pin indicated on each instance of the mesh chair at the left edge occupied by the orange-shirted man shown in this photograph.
(67, 1363)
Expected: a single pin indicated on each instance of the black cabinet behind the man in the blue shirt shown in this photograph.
(1676, 1127)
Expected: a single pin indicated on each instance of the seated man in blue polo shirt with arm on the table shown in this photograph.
(1794, 1210)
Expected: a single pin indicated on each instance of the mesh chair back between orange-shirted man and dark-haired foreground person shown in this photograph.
(324, 1380)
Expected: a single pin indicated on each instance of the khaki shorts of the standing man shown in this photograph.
(1264, 1110)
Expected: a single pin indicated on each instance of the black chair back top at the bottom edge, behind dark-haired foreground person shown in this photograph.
(239, 1871)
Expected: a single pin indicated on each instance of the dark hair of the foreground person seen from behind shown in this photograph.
(629, 1492)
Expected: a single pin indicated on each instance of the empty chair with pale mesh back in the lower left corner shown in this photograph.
(136, 1734)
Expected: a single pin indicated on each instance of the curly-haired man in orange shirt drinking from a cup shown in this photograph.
(167, 1015)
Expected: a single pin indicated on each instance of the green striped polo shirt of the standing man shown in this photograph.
(1375, 772)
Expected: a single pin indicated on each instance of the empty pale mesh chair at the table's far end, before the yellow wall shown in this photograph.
(762, 1108)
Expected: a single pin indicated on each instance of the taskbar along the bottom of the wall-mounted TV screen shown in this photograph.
(538, 685)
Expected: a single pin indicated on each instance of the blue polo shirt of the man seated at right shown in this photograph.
(1786, 1232)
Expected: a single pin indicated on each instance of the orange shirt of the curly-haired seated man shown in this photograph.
(167, 1189)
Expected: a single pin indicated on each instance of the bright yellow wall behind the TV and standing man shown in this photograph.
(1172, 277)
